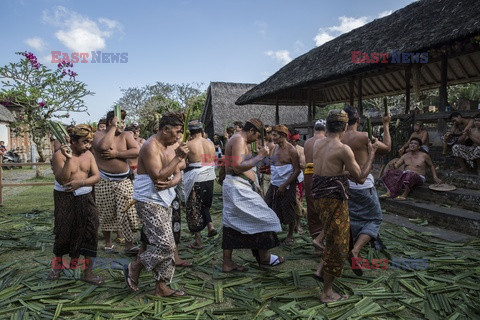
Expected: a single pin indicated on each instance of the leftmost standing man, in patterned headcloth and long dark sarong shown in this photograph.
(76, 216)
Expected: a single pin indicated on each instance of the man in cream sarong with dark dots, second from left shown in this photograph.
(112, 148)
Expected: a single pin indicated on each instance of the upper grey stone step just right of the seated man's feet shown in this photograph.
(467, 199)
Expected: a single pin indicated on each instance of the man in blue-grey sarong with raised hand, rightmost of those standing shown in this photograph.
(363, 203)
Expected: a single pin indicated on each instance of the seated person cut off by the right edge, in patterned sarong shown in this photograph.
(469, 154)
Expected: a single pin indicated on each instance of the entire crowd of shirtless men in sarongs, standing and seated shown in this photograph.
(141, 185)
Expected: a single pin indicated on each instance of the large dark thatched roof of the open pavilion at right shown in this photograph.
(322, 75)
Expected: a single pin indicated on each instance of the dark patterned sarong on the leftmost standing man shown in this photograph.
(76, 225)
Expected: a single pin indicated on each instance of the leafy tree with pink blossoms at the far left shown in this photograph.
(39, 94)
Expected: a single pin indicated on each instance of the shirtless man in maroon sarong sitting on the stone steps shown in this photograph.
(399, 183)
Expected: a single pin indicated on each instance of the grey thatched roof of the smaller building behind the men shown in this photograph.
(220, 109)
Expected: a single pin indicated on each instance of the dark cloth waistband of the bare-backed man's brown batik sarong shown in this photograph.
(333, 187)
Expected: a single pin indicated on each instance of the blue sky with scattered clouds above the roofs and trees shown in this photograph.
(177, 41)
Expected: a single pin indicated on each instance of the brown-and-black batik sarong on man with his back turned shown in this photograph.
(330, 200)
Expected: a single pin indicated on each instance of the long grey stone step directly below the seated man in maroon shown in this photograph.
(456, 219)
